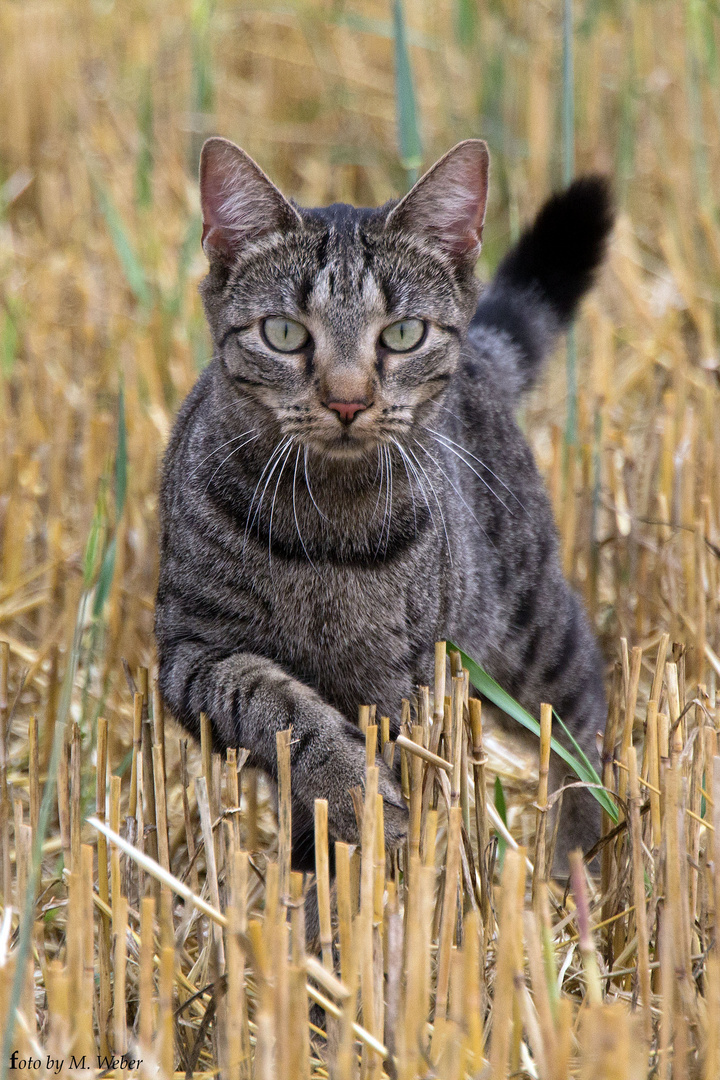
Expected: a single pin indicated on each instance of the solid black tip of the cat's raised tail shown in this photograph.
(560, 253)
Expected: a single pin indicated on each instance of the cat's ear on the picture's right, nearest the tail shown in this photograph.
(447, 205)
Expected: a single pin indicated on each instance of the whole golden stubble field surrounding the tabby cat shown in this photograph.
(447, 966)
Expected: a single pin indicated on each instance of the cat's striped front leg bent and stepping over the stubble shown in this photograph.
(249, 700)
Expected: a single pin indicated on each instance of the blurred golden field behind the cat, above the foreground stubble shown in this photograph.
(105, 107)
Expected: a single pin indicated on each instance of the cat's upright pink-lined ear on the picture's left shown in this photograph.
(240, 204)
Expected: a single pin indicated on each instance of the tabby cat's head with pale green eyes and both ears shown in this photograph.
(342, 326)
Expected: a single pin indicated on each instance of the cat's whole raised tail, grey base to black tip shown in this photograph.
(544, 278)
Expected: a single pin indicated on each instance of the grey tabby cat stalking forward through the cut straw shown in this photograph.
(347, 483)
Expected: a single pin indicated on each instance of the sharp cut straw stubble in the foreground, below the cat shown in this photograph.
(412, 971)
